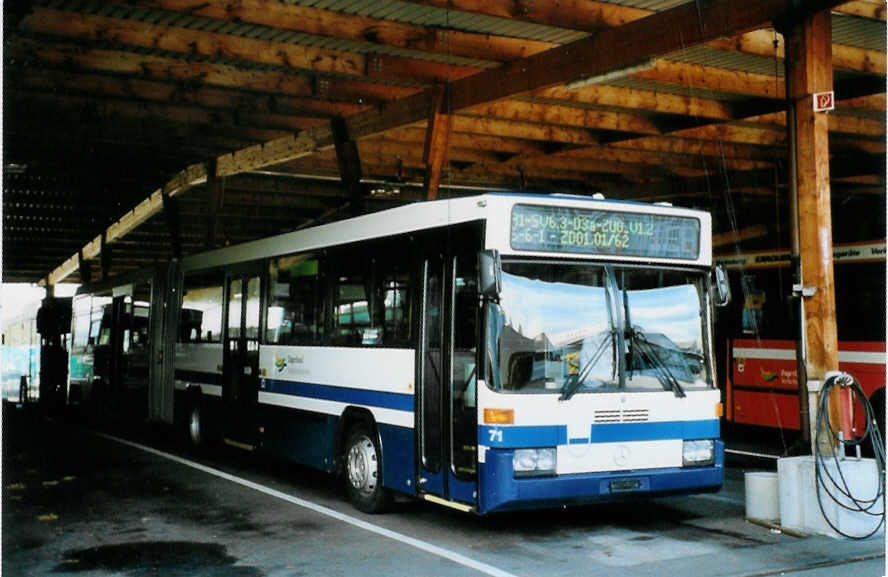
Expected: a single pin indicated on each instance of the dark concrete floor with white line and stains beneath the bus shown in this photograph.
(75, 503)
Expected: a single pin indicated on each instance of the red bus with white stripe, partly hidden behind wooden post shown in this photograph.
(760, 329)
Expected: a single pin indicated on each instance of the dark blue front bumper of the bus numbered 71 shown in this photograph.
(501, 491)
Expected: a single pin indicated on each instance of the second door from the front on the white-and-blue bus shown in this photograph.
(241, 361)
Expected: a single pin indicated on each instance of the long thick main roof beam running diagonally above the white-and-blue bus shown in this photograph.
(610, 50)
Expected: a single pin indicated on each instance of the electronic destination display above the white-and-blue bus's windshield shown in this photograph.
(604, 232)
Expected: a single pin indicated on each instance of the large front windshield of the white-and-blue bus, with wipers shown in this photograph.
(577, 328)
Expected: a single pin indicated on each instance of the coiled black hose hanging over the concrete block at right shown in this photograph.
(825, 481)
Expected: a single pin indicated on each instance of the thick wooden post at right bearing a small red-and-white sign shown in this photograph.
(810, 72)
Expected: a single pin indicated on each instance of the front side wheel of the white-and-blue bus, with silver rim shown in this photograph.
(363, 470)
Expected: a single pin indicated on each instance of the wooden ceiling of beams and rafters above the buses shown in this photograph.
(273, 115)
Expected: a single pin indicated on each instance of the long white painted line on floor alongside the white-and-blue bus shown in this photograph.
(417, 543)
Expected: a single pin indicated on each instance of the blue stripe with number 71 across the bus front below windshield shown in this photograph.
(552, 435)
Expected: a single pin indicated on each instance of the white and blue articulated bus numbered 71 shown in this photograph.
(487, 353)
